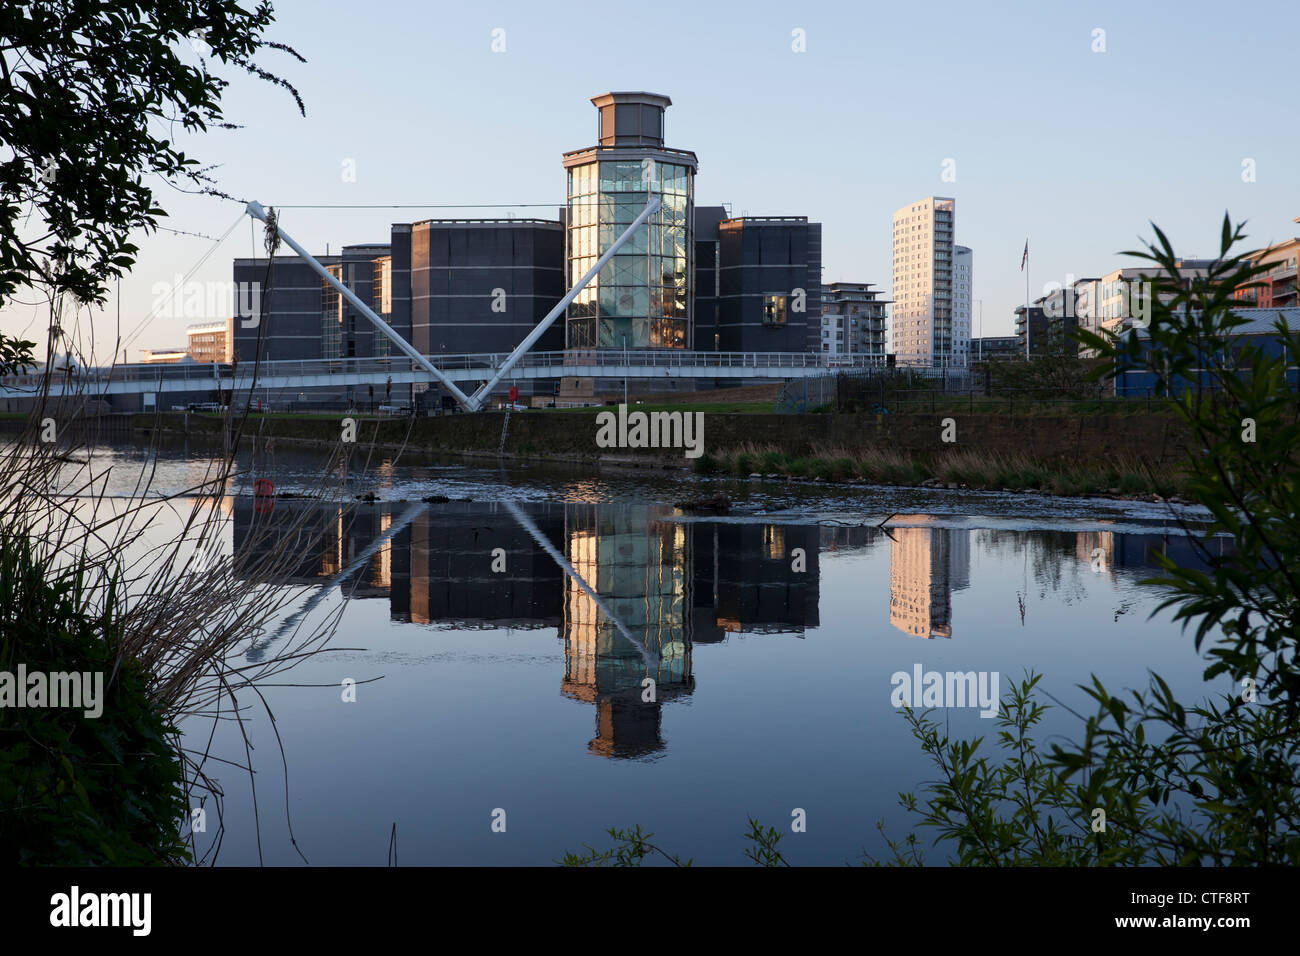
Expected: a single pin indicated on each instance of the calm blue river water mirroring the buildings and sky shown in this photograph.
(504, 646)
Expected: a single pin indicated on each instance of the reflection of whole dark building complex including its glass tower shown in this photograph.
(669, 583)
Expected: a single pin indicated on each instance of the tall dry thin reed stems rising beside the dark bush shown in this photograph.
(187, 608)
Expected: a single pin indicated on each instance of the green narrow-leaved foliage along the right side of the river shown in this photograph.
(1212, 784)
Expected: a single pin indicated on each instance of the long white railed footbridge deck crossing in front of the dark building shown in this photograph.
(310, 374)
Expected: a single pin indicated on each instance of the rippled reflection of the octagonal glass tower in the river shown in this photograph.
(638, 565)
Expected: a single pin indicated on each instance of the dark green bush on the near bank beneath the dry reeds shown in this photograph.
(77, 790)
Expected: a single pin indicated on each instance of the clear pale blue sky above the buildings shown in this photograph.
(1076, 150)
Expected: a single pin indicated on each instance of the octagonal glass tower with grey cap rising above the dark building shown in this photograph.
(642, 299)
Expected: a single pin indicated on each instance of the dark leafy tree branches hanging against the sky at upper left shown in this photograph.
(93, 97)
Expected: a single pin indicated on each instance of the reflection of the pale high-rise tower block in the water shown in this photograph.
(926, 565)
